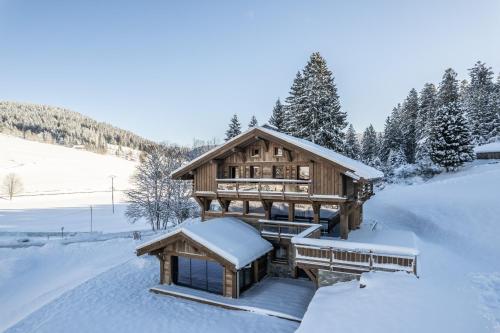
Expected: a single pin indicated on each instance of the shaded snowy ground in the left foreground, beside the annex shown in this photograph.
(115, 299)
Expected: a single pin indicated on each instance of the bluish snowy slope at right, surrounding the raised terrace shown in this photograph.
(455, 219)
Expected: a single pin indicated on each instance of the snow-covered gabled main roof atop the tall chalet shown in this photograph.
(357, 169)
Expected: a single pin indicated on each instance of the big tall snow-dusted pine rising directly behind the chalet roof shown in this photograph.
(320, 120)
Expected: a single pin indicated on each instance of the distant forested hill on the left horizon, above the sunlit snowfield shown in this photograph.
(61, 126)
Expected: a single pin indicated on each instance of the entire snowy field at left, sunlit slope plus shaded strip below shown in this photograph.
(59, 186)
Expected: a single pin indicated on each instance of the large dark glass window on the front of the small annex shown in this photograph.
(199, 274)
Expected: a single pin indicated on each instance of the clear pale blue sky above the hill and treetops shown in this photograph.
(173, 71)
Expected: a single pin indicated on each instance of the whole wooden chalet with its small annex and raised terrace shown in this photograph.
(267, 198)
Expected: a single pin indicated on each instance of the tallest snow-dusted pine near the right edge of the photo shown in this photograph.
(480, 104)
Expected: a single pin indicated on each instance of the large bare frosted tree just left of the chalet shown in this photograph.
(155, 195)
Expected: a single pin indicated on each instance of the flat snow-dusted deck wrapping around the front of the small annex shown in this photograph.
(279, 297)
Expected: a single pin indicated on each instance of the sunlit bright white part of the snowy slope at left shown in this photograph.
(51, 169)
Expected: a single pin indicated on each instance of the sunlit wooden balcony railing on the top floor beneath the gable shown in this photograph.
(263, 186)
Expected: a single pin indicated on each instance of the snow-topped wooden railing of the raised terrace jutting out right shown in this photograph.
(354, 256)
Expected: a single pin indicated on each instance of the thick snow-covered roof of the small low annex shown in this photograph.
(230, 238)
